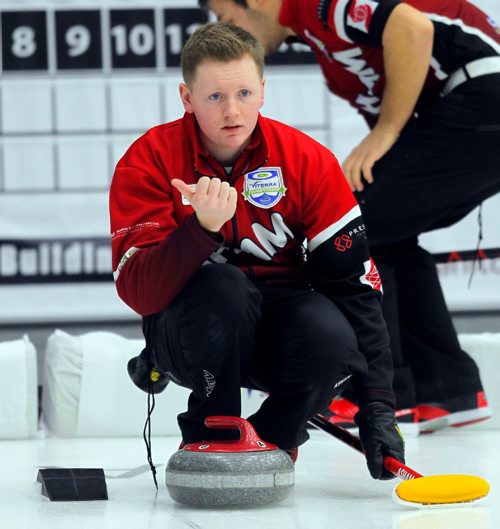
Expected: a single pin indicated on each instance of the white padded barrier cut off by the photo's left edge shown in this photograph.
(18, 389)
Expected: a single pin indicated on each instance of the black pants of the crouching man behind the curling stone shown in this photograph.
(222, 333)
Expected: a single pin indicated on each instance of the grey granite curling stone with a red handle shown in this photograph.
(245, 472)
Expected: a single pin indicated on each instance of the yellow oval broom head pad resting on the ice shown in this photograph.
(442, 490)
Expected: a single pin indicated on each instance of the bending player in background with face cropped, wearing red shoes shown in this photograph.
(425, 75)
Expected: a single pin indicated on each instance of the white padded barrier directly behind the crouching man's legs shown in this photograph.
(88, 393)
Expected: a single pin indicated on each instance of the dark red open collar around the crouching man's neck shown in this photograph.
(255, 155)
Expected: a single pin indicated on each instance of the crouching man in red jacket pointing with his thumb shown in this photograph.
(209, 214)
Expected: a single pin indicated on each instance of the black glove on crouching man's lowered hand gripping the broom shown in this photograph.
(380, 436)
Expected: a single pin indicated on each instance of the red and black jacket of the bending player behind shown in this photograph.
(346, 37)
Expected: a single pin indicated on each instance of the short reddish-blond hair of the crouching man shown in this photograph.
(219, 41)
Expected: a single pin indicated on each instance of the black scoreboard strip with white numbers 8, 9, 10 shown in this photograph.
(106, 40)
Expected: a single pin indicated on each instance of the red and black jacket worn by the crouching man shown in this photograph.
(290, 191)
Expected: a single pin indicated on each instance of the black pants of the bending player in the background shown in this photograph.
(444, 164)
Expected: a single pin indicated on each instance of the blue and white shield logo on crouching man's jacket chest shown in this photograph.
(264, 187)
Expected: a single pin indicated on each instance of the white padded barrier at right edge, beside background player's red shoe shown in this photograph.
(485, 350)
